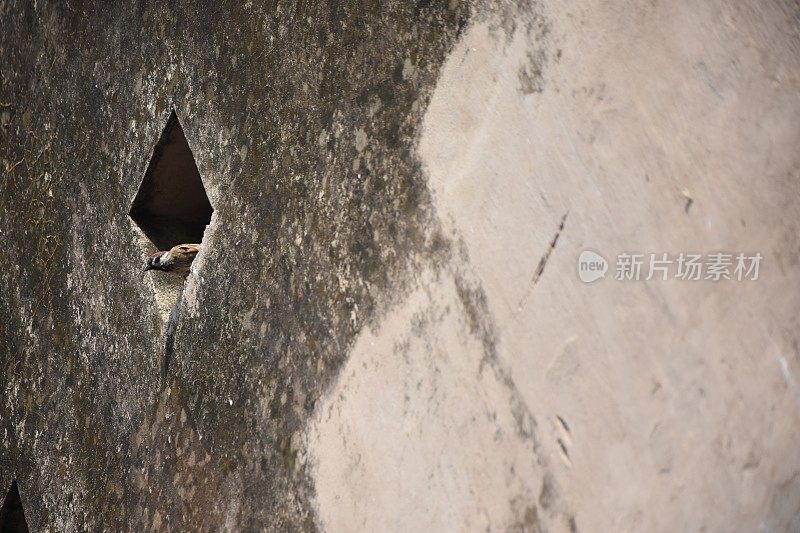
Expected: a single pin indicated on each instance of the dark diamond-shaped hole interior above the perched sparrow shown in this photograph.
(171, 206)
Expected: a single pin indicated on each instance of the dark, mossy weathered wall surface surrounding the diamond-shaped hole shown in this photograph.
(302, 119)
